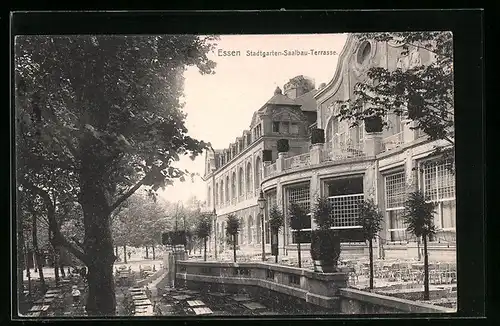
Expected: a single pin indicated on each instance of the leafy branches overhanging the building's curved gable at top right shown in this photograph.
(421, 91)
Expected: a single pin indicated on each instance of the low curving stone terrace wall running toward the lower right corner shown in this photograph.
(293, 287)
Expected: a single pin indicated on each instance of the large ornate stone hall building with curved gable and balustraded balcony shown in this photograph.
(350, 166)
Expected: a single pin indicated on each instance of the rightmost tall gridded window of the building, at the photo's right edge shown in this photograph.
(439, 186)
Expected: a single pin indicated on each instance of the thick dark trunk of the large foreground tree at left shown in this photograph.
(98, 242)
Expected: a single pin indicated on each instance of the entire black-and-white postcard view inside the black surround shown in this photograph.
(235, 175)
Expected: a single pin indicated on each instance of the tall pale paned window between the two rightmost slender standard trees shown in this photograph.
(394, 203)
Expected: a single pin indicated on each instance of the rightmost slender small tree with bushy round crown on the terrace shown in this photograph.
(418, 217)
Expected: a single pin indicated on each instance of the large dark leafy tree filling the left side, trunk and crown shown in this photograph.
(106, 114)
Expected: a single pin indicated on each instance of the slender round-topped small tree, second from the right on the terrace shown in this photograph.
(370, 219)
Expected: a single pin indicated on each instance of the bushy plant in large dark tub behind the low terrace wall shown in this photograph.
(325, 242)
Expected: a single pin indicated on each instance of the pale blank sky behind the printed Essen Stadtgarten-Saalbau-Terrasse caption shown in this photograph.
(220, 106)
